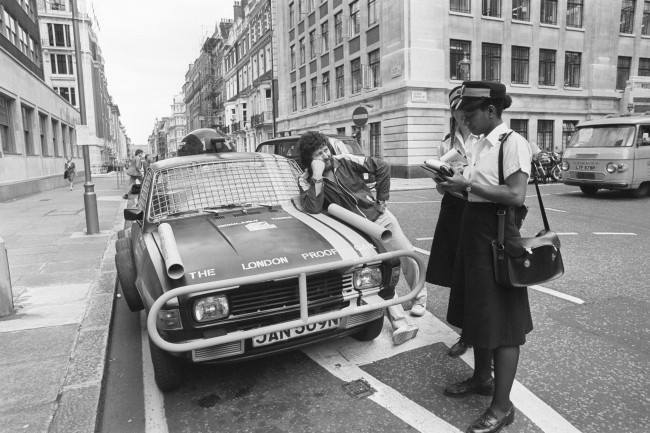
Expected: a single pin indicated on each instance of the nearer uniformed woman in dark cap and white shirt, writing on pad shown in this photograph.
(493, 318)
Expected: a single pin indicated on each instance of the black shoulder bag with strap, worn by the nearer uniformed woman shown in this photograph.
(521, 262)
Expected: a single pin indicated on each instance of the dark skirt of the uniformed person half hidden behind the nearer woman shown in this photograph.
(445, 241)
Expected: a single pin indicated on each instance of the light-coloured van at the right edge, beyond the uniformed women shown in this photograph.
(609, 153)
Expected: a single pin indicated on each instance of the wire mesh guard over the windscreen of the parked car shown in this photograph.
(201, 185)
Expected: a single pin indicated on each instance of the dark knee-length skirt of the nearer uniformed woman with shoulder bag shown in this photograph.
(490, 315)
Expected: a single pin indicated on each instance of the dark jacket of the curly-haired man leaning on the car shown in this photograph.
(349, 189)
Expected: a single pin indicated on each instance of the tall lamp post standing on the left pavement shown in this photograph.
(90, 198)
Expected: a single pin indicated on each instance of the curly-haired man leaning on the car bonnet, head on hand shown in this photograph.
(340, 180)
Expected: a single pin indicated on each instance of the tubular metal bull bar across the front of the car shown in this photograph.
(305, 318)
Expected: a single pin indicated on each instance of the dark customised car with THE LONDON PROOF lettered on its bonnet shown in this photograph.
(229, 268)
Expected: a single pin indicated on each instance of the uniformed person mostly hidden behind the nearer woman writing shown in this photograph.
(445, 238)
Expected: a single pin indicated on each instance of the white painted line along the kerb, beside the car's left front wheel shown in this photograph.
(154, 402)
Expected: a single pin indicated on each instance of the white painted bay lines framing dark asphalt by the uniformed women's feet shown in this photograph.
(342, 357)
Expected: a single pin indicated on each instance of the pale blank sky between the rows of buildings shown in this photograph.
(147, 47)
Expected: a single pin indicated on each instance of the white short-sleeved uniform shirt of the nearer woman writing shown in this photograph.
(484, 158)
